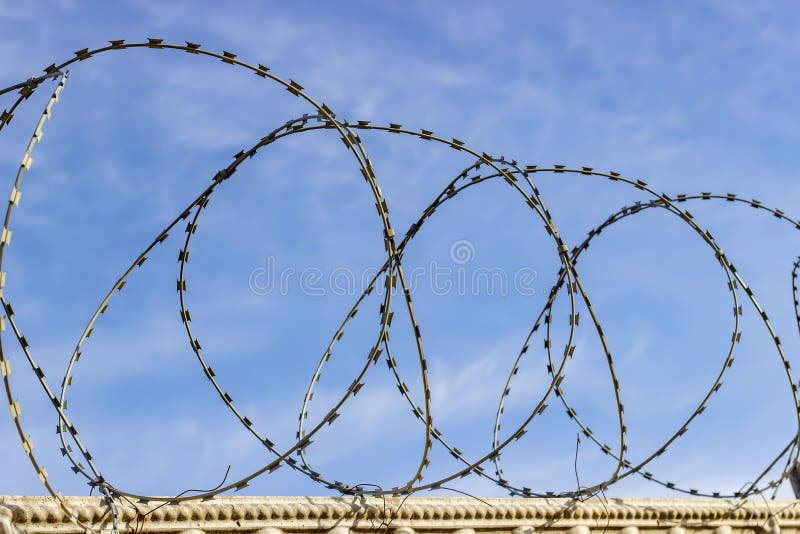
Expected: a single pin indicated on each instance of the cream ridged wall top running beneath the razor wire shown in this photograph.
(276, 515)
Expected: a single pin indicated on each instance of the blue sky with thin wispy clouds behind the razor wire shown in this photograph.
(689, 97)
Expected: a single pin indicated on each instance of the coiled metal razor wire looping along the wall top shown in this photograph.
(391, 276)
